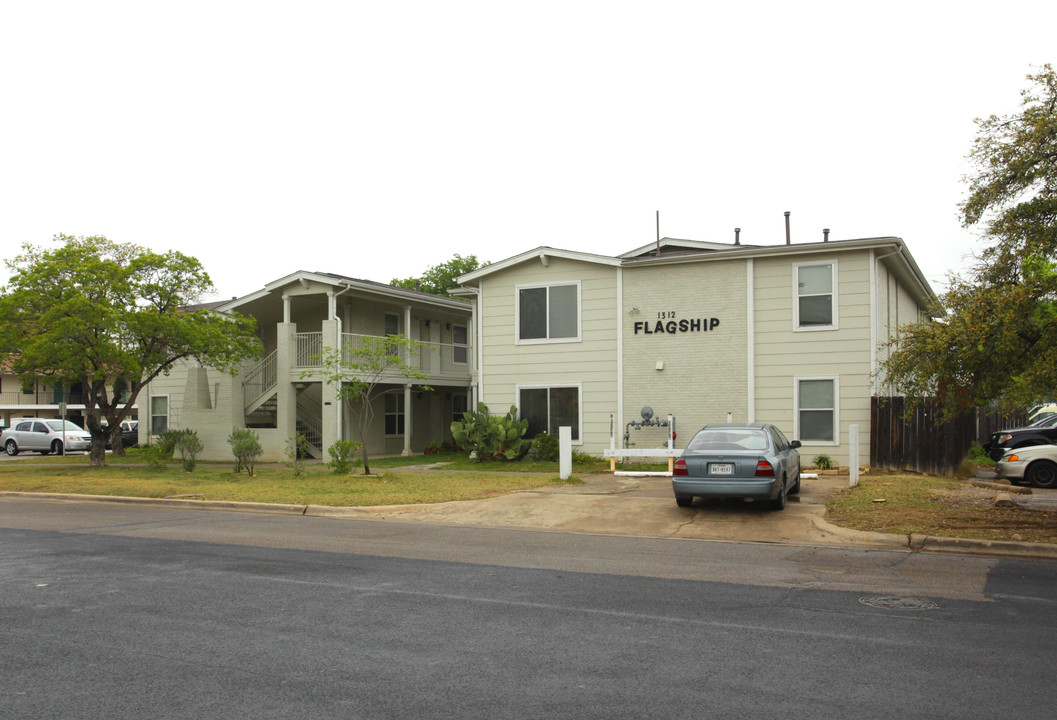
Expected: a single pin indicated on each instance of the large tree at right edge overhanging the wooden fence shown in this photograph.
(996, 337)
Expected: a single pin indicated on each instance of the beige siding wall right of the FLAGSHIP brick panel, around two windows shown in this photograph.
(784, 355)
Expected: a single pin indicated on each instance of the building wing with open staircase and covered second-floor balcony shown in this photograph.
(298, 318)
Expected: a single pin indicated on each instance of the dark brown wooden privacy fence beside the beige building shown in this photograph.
(921, 444)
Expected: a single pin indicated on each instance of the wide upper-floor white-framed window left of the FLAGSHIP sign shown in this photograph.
(548, 313)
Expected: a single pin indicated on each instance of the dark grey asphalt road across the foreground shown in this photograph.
(132, 613)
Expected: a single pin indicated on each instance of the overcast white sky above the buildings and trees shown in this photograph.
(377, 139)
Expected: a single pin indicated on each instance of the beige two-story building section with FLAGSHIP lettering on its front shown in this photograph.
(790, 335)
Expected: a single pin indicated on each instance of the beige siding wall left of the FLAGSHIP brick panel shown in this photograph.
(590, 363)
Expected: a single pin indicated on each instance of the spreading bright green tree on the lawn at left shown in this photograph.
(112, 318)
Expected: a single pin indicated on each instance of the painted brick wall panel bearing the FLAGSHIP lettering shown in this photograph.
(704, 373)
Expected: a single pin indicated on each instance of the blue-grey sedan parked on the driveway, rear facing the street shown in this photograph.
(752, 461)
